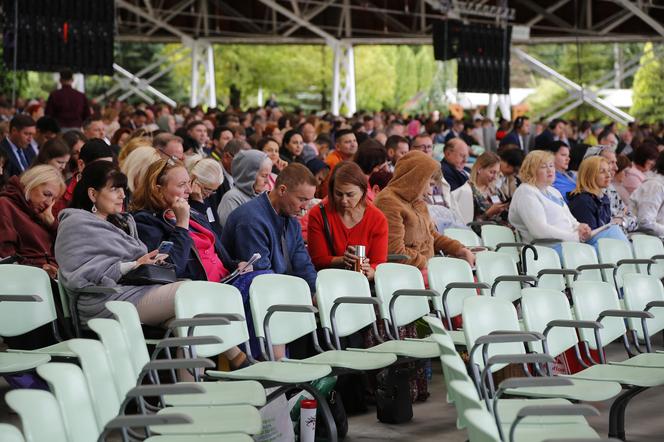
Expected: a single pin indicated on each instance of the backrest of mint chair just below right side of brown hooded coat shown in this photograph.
(442, 271)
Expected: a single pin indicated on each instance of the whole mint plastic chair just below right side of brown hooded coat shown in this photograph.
(453, 279)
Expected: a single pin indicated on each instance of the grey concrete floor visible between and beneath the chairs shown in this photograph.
(435, 419)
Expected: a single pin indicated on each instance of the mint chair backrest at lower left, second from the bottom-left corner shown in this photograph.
(40, 415)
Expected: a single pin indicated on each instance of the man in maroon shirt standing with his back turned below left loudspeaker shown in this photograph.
(67, 105)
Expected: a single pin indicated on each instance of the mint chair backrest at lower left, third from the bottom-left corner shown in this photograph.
(68, 384)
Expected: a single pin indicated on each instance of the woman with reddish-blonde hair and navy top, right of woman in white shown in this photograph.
(589, 203)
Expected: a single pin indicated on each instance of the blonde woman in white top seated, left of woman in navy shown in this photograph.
(537, 209)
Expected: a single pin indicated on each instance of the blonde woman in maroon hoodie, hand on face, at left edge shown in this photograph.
(27, 225)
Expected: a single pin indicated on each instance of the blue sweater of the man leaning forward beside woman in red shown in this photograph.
(255, 227)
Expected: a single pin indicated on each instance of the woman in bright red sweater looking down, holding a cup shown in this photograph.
(352, 221)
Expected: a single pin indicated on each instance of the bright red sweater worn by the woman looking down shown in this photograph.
(370, 232)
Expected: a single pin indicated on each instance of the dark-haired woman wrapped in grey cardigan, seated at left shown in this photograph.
(97, 244)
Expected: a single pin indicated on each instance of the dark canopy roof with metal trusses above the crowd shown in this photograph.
(383, 21)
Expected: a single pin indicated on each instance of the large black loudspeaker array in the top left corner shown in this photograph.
(52, 35)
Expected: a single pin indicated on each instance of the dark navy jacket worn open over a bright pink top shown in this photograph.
(153, 229)
